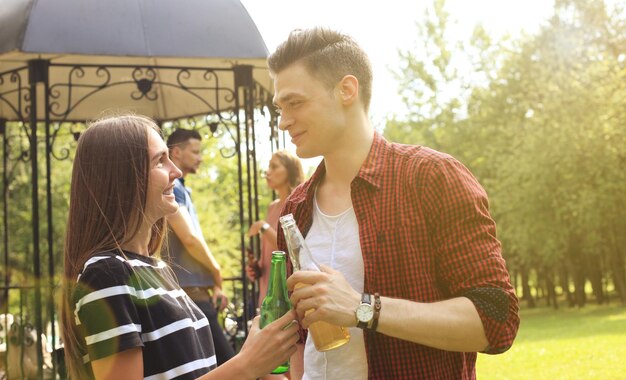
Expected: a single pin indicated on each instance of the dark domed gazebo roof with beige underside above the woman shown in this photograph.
(91, 43)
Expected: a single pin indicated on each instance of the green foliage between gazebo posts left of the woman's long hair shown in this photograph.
(20, 253)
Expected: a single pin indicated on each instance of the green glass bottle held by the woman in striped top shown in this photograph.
(276, 303)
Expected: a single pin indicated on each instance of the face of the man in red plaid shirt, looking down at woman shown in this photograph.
(311, 113)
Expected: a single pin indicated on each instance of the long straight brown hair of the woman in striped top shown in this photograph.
(107, 200)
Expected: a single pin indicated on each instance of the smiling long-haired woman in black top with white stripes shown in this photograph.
(124, 315)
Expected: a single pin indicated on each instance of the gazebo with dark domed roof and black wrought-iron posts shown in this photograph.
(199, 63)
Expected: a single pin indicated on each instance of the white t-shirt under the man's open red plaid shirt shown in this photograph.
(334, 241)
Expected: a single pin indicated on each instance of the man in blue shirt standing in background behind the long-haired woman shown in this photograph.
(197, 270)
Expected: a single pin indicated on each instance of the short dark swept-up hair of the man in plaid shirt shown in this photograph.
(328, 56)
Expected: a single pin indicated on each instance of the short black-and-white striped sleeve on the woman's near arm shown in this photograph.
(105, 309)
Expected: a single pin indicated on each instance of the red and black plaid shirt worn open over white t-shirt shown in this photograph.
(426, 235)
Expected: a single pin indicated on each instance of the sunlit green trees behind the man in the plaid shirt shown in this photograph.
(541, 121)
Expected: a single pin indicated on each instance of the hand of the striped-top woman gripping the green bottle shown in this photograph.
(265, 349)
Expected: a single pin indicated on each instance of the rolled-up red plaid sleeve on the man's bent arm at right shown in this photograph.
(469, 257)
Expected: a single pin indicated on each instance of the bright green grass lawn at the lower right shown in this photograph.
(587, 343)
